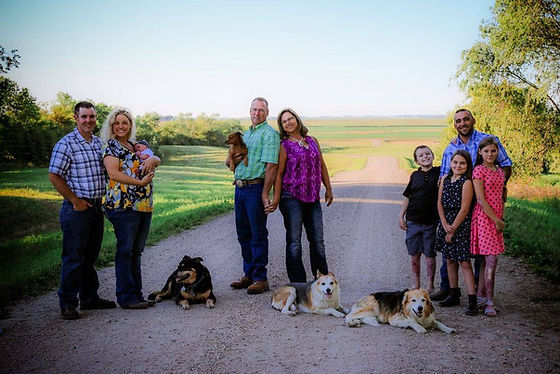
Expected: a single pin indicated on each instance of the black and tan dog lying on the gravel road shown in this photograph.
(189, 284)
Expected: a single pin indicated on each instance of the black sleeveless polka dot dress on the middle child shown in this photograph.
(451, 197)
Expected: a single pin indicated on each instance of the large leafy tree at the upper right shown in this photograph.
(512, 77)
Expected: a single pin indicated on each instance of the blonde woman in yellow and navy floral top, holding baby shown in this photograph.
(127, 204)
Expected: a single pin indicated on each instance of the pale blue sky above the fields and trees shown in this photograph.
(318, 57)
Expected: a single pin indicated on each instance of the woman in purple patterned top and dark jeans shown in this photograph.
(301, 170)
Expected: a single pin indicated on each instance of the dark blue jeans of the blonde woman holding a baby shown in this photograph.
(131, 230)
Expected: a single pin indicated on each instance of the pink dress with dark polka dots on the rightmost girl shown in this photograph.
(485, 239)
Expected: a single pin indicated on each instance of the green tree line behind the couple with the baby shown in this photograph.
(29, 130)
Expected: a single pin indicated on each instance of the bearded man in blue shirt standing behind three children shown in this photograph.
(468, 139)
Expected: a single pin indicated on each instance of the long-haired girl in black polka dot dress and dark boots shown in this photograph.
(453, 237)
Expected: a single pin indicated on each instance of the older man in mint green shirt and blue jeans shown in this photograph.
(252, 188)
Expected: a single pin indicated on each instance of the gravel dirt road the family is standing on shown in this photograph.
(243, 334)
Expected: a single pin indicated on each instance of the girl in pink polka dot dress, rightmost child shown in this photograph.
(487, 223)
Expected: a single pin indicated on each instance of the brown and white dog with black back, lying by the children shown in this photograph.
(408, 308)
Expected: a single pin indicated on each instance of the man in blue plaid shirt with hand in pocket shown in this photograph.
(77, 173)
